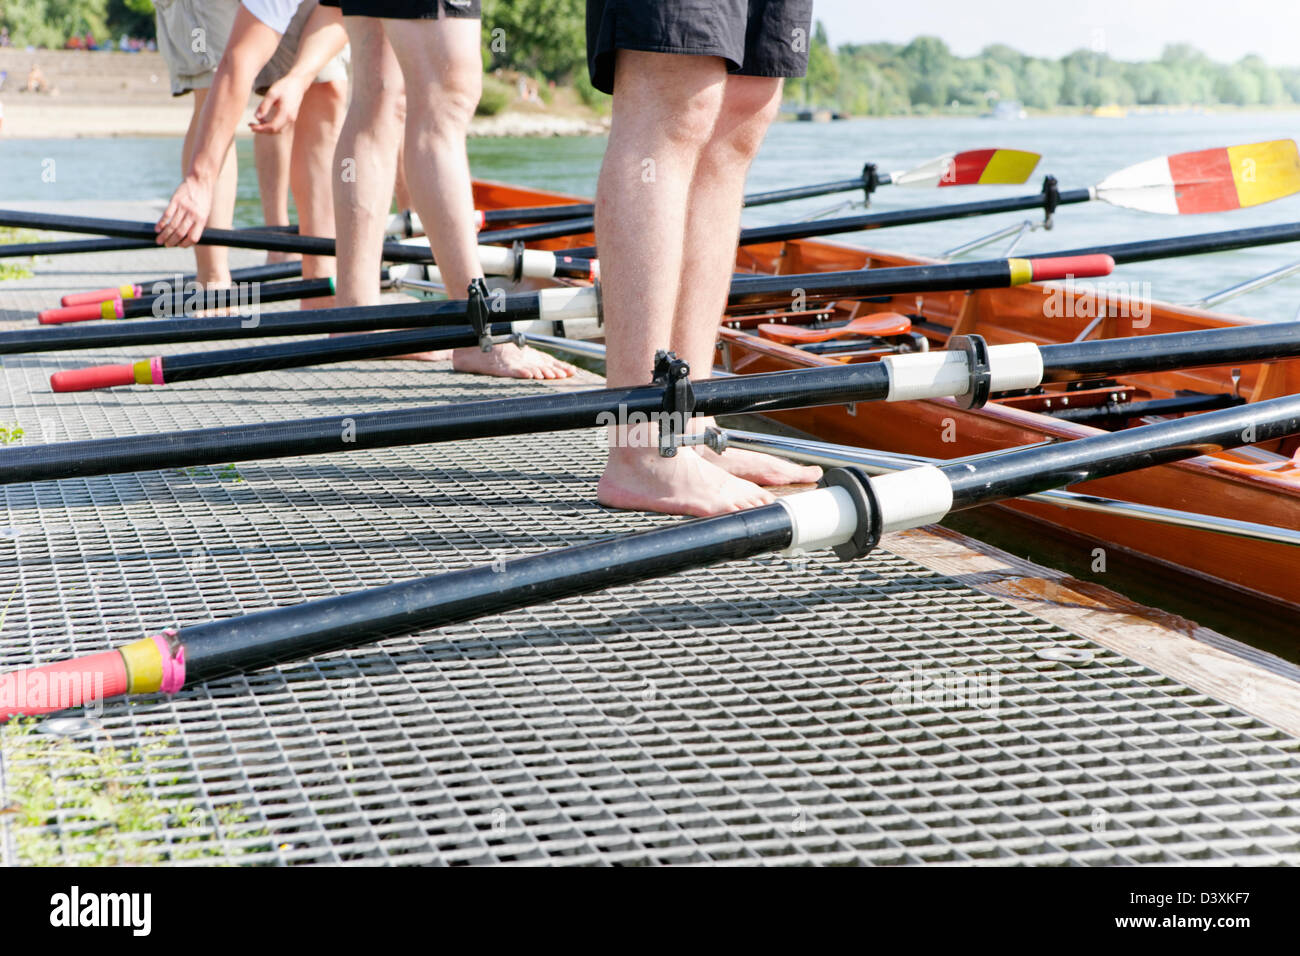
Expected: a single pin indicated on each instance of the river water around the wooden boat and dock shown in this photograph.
(1080, 152)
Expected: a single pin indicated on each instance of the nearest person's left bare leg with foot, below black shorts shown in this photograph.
(665, 114)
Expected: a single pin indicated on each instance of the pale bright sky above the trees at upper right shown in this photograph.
(1125, 29)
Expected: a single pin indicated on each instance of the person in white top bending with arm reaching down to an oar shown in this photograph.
(291, 50)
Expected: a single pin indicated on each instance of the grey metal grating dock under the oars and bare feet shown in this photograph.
(756, 713)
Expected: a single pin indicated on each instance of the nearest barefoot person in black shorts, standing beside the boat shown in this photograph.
(695, 90)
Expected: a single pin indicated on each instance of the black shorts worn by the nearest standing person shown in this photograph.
(759, 38)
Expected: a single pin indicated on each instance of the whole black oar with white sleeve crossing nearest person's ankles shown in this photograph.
(969, 370)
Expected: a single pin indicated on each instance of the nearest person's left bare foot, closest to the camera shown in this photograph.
(686, 485)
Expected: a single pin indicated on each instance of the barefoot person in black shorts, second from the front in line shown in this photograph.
(418, 67)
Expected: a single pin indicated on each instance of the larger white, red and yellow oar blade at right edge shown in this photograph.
(1216, 180)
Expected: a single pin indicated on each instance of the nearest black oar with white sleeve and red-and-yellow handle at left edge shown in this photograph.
(848, 516)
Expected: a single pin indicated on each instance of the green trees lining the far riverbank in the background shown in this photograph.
(547, 40)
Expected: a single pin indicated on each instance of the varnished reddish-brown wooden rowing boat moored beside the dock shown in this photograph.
(1258, 485)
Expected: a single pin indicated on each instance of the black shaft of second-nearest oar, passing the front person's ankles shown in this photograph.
(755, 393)
